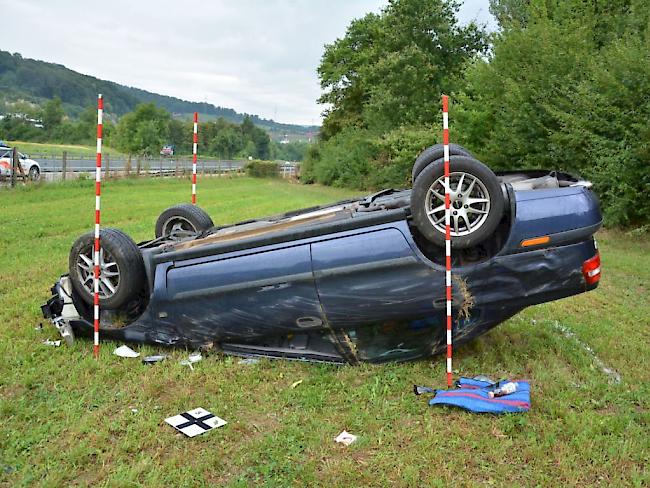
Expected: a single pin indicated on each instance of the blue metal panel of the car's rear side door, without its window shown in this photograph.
(373, 276)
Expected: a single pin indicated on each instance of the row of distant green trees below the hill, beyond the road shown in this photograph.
(145, 130)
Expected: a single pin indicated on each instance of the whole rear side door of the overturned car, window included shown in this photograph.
(375, 291)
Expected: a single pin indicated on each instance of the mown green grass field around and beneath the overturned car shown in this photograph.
(66, 419)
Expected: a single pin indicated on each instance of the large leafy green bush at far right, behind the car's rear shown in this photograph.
(568, 90)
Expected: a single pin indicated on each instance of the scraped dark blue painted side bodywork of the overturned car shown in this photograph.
(367, 294)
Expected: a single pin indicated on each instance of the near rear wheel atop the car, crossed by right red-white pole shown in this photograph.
(479, 204)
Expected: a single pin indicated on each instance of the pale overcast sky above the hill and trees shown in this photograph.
(255, 56)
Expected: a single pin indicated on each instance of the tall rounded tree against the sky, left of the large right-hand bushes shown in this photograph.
(390, 69)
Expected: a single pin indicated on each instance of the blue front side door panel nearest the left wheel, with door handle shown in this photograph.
(248, 294)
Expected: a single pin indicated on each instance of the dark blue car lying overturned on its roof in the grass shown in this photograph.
(362, 280)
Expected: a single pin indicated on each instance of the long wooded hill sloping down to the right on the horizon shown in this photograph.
(38, 81)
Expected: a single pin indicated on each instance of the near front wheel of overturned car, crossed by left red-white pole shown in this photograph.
(122, 273)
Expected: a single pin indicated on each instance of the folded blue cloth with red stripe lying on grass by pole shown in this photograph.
(473, 395)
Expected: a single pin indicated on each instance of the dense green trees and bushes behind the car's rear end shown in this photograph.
(563, 84)
